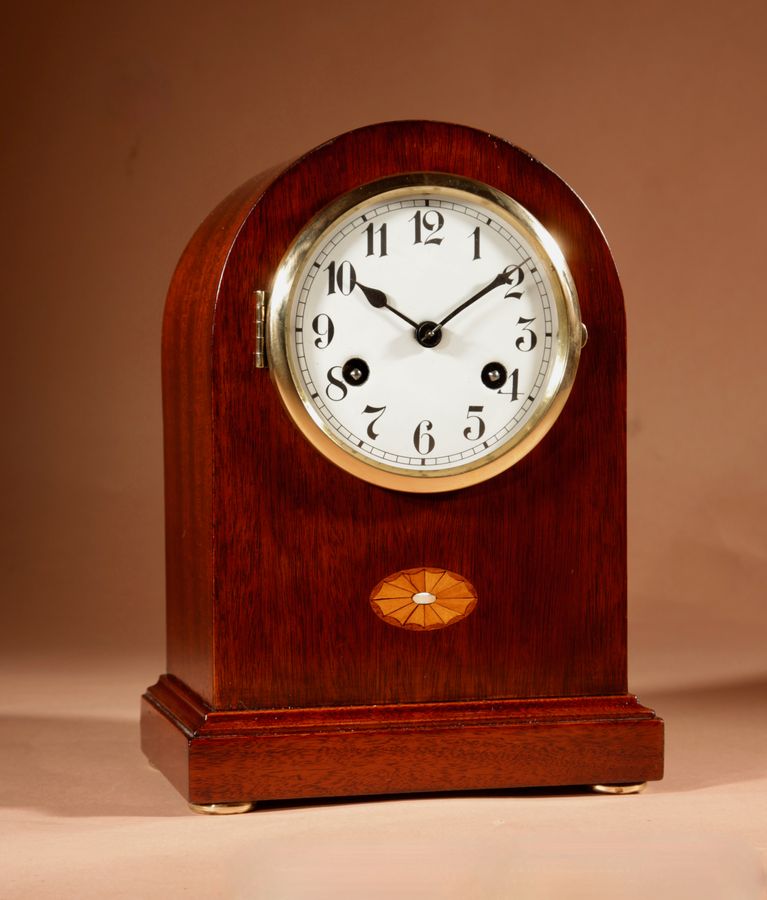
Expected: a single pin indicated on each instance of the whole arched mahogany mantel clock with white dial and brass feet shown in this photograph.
(396, 483)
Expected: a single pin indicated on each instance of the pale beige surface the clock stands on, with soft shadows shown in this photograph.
(82, 815)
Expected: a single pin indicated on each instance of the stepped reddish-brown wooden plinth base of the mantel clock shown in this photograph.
(235, 756)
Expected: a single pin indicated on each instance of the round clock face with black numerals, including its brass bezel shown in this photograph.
(424, 332)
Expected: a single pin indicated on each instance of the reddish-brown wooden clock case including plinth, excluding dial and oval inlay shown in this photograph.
(282, 681)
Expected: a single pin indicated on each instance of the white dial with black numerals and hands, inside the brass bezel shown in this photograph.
(374, 304)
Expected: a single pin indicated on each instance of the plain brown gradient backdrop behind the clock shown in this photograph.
(124, 124)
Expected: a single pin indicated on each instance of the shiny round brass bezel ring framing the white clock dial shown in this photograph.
(311, 424)
